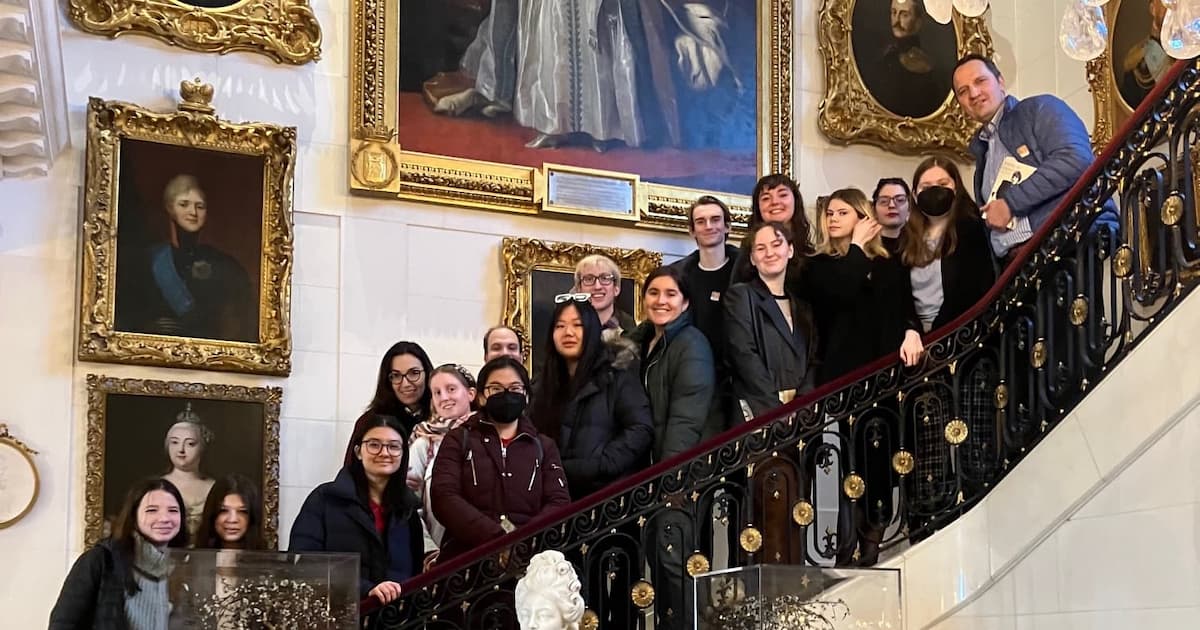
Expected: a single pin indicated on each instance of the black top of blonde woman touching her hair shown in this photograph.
(863, 308)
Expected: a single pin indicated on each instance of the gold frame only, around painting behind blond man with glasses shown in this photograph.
(521, 257)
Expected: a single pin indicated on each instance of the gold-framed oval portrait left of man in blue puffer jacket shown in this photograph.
(850, 113)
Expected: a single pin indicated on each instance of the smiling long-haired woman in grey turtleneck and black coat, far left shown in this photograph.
(121, 584)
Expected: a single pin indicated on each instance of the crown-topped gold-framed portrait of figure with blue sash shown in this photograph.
(231, 311)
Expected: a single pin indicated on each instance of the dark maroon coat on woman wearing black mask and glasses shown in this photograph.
(477, 482)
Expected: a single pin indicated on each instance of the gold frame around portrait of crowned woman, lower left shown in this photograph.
(100, 387)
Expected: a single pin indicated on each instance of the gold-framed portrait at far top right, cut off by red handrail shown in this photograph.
(1131, 65)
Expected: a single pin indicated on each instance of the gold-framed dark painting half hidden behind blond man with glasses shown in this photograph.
(531, 267)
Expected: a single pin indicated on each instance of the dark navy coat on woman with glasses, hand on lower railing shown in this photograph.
(335, 519)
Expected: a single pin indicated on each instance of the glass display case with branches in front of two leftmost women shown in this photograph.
(259, 590)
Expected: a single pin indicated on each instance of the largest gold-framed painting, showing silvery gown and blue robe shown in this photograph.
(476, 98)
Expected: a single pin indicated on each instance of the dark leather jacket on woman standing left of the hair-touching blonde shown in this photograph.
(764, 356)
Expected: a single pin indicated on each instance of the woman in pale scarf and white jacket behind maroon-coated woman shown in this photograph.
(454, 397)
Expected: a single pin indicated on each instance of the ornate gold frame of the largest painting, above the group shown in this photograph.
(380, 166)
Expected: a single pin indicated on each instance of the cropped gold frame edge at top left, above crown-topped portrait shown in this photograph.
(285, 31)
